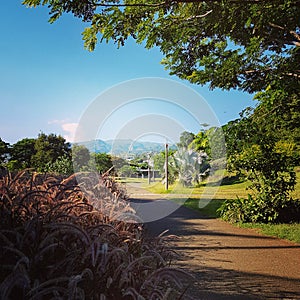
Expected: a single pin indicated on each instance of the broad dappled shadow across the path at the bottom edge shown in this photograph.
(218, 283)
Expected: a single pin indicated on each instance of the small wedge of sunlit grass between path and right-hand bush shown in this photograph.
(289, 232)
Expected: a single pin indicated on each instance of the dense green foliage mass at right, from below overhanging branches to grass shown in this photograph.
(265, 150)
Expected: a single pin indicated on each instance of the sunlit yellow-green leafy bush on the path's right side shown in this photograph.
(270, 166)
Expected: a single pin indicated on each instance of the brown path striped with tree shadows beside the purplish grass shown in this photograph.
(229, 262)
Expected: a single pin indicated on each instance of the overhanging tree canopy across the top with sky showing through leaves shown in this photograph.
(242, 44)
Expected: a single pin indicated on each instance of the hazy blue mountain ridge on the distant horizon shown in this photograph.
(118, 147)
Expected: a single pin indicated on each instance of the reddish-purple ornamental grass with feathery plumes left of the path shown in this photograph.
(61, 240)
